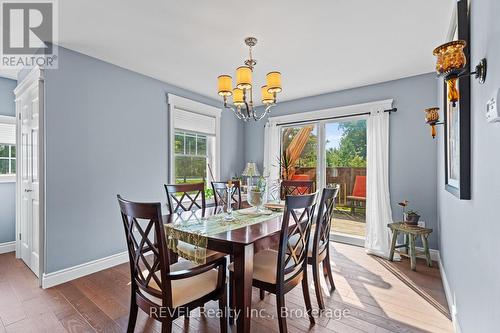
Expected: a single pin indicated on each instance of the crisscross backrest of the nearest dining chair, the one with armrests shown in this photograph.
(143, 223)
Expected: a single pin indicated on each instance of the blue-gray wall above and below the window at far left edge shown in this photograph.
(7, 190)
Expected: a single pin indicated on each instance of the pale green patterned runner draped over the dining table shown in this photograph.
(195, 231)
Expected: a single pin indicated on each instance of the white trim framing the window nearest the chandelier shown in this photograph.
(180, 103)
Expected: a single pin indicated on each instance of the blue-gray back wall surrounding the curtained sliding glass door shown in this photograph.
(412, 149)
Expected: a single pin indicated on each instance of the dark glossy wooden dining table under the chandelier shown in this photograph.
(241, 242)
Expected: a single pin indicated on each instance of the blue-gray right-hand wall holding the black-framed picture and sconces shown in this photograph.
(469, 243)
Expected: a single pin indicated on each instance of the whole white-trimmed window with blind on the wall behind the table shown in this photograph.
(194, 141)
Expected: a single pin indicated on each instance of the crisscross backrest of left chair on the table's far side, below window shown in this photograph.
(184, 197)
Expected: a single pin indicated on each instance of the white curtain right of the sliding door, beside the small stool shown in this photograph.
(378, 203)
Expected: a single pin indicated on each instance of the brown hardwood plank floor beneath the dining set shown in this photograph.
(373, 299)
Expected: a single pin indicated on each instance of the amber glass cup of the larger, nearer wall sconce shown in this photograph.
(450, 57)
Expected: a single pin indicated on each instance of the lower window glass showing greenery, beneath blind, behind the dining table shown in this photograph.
(192, 157)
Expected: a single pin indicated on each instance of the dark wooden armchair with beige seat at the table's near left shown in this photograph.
(163, 290)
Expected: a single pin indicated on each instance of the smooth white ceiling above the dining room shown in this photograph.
(319, 46)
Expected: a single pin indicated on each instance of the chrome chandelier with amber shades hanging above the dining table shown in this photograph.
(242, 105)
